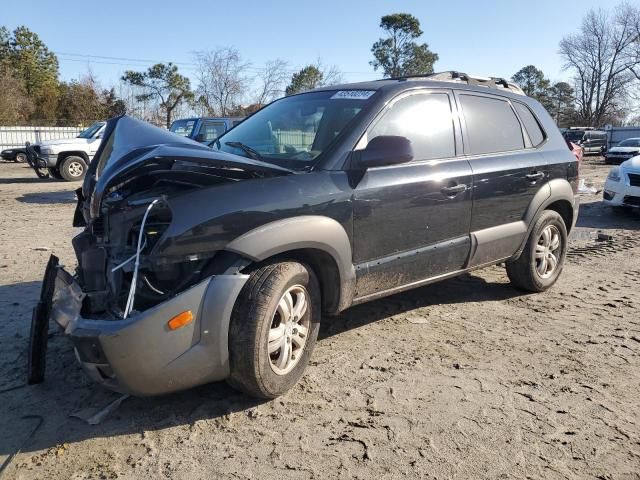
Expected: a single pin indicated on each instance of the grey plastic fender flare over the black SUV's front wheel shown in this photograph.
(302, 232)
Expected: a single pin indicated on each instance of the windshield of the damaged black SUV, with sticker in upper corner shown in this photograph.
(294, 131)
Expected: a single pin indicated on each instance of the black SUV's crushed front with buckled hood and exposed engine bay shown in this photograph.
(125, 261)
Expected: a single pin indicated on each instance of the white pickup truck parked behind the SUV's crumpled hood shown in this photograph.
(68, 158)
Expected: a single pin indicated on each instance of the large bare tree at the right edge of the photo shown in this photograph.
(599, 55)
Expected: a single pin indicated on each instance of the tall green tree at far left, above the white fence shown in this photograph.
(36, 66)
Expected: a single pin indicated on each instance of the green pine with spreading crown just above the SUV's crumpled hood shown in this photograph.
(163, 83)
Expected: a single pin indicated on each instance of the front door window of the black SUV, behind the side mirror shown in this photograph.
(426, 120)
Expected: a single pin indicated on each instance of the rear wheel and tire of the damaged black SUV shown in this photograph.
(525, 272)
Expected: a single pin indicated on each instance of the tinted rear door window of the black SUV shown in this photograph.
(492, 125)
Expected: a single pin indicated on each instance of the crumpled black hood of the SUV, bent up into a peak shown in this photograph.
(133, 148)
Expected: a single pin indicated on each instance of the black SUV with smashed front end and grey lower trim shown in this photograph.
(199, 264)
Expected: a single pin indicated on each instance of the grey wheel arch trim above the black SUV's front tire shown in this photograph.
(318, 241)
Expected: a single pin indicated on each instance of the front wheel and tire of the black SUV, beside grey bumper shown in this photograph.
(260, 314)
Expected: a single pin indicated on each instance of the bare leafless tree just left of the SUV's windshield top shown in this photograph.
(222, 80)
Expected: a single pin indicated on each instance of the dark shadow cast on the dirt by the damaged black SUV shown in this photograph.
(66, 389)
